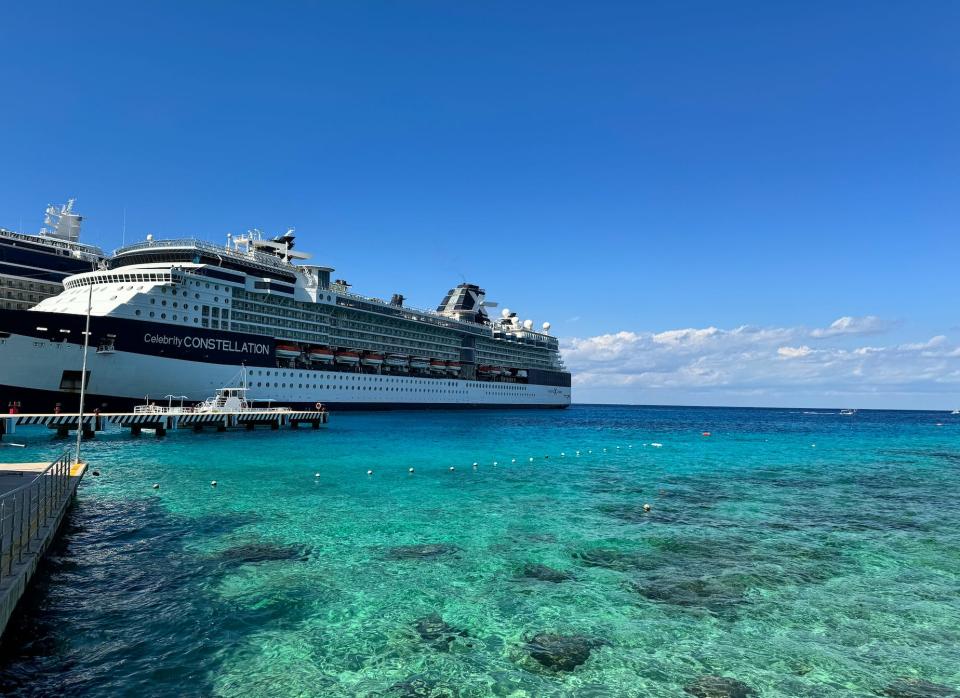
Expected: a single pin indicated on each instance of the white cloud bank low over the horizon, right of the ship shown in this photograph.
(767, 366)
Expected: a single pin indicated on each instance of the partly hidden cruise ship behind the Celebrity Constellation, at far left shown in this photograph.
(33, 267)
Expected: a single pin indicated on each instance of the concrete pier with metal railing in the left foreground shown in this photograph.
(34, 498)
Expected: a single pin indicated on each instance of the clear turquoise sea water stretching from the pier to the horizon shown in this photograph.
(800, 570)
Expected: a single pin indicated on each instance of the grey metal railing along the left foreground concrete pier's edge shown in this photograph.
(26, 510)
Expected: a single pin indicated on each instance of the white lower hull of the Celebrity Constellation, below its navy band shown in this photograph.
(32, 372)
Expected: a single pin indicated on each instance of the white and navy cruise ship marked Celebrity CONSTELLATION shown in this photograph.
(184, 317)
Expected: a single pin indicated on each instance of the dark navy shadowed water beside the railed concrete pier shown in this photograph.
(106, 612)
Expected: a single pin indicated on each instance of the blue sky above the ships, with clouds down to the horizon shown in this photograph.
(620, 169)
